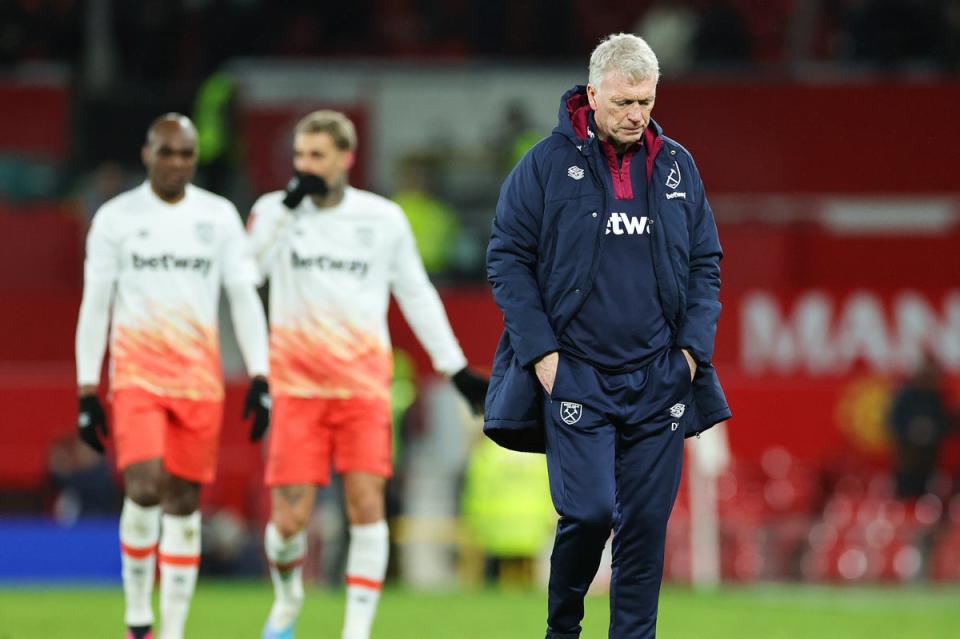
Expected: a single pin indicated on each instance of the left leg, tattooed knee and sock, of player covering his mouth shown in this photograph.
(285, 541)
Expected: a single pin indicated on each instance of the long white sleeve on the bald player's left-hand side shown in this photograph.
(101, 268)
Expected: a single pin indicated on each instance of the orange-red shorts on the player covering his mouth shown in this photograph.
(307, 433)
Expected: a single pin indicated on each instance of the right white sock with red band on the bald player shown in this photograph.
(179, 564)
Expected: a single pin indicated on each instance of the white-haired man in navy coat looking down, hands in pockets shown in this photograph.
(604, 258)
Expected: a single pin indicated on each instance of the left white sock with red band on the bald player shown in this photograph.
(139, 532)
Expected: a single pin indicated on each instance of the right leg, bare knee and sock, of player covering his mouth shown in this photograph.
(369, 550)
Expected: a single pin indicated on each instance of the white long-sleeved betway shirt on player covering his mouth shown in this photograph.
(331, 273)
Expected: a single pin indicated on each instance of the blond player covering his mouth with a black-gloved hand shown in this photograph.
(334, 254)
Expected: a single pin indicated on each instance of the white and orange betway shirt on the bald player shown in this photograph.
(168, 263)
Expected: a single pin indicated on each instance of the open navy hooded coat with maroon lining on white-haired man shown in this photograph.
(544, 253)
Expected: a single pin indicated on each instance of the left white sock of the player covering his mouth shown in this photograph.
(286, 571)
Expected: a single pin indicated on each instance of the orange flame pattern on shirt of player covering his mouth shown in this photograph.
(328, 358)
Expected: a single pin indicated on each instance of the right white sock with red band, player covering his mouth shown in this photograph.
(366, 568)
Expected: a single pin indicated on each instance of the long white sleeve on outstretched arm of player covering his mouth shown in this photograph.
(421, 305)
